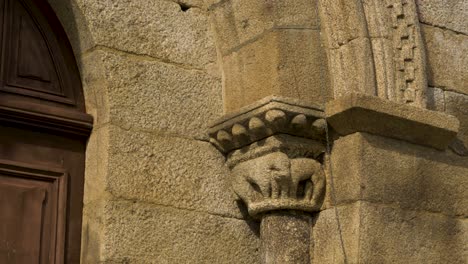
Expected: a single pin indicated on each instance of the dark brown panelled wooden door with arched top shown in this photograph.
(43, 133)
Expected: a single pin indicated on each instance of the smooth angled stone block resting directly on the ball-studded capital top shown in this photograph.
(273, 66)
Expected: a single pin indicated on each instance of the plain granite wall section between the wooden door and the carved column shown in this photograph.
(155, 189)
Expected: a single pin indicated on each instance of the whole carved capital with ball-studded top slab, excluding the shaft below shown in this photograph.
(271, 149)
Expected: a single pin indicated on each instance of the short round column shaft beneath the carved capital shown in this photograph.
(285, 238)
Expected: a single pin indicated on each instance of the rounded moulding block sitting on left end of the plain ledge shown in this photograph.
(353, 68)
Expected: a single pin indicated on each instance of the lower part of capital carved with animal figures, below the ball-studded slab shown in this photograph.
(276, 182)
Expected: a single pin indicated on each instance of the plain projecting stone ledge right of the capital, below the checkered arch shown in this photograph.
(362, 113)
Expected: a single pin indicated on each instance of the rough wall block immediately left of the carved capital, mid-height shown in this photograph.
(169, 171)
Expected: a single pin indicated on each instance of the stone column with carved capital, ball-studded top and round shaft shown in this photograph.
(272, 149)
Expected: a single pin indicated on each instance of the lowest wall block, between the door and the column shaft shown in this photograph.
(135, 232)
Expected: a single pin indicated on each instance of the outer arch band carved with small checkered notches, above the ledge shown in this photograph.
(398, 50)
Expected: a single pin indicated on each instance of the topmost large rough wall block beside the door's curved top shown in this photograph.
(160, 29)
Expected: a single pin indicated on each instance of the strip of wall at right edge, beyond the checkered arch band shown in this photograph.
(445, 30)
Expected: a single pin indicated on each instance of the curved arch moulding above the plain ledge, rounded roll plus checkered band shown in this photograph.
(376, 48)
